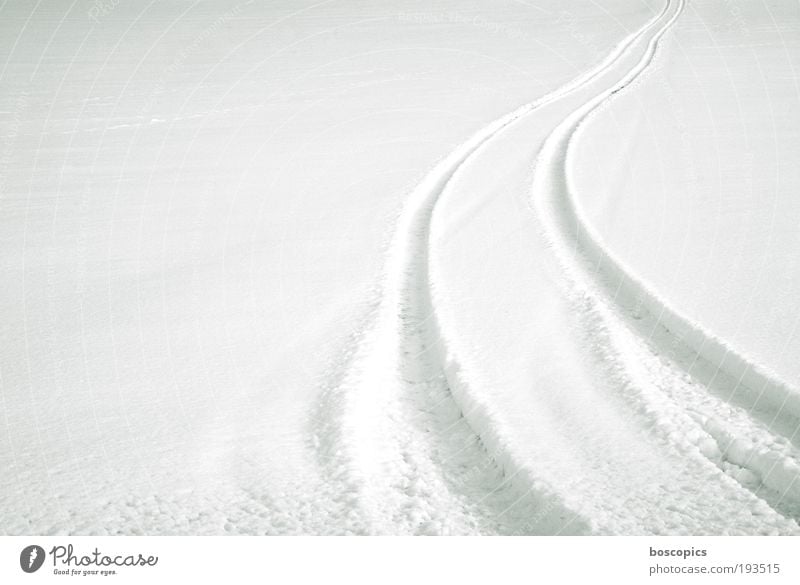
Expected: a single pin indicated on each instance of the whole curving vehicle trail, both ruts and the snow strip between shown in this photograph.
(418, 431)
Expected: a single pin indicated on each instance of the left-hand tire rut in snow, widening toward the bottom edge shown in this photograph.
(411, 448)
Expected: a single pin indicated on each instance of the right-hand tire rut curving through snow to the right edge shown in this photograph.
(734, 424)
